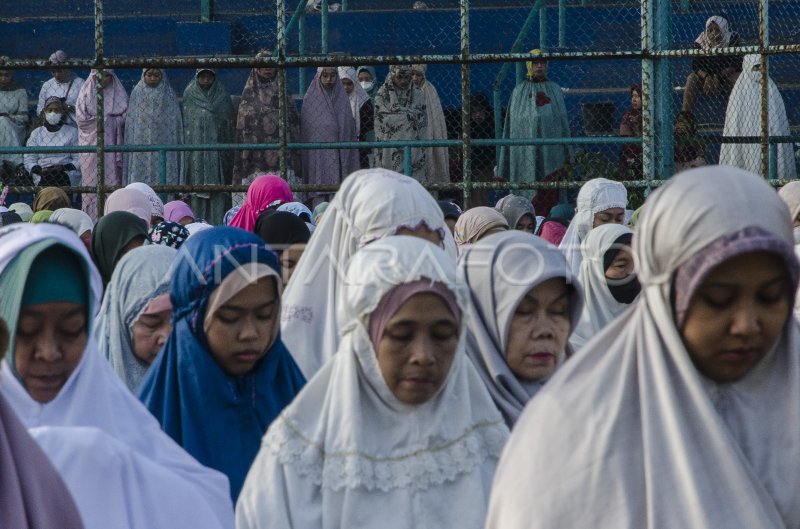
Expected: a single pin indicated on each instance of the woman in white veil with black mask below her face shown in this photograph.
(608, 280)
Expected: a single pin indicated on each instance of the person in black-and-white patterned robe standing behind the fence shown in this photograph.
(400, 114)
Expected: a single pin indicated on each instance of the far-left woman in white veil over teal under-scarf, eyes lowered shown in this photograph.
(55, 378)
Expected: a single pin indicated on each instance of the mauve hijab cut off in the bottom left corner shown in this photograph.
(34, 495)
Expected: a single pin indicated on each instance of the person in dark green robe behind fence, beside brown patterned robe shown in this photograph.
(207, 118)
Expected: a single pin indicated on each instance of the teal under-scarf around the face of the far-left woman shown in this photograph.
(46, 271)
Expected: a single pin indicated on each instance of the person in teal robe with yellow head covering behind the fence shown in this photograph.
(536, 111)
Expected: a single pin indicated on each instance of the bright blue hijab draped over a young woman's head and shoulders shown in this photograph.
(219, 419)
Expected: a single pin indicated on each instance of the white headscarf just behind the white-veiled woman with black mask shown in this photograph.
(595, 196)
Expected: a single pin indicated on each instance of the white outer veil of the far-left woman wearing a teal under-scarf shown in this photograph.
(94, 396)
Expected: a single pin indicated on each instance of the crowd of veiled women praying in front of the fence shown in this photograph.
(389, 360)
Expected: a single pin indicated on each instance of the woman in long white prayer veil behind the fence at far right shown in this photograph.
(743, 118)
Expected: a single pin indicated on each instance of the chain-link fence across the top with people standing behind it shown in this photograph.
(473, 98)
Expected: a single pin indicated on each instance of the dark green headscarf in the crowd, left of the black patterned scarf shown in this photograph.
(110, 236)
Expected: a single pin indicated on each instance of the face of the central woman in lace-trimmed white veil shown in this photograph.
(417, 348)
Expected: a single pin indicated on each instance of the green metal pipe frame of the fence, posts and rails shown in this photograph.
(655, 55)
